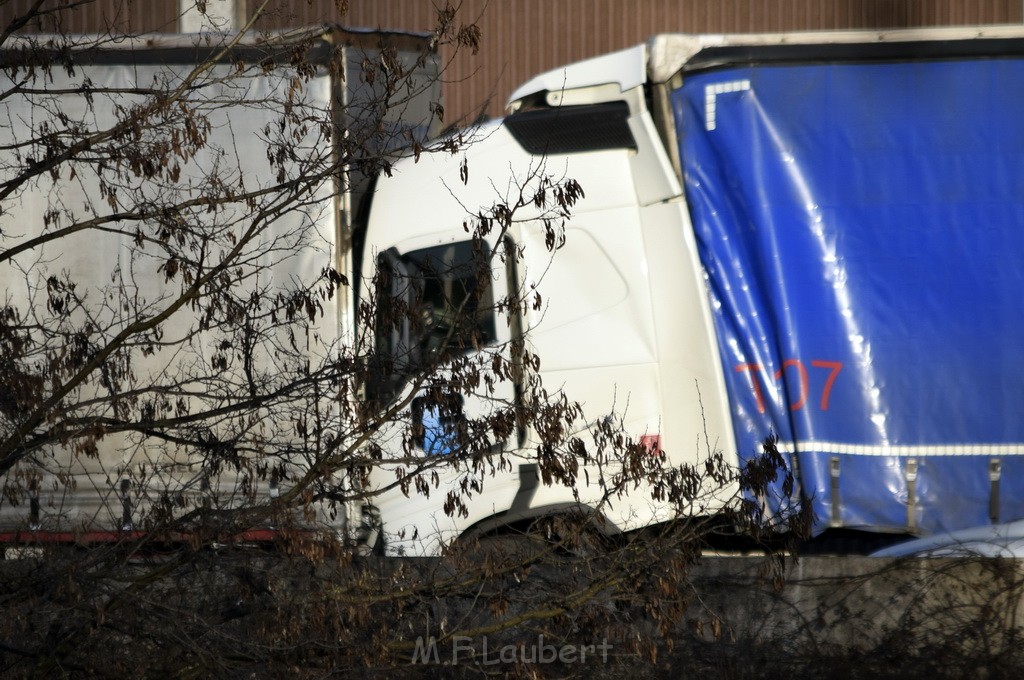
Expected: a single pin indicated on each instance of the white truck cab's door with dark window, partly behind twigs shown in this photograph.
(445, 336)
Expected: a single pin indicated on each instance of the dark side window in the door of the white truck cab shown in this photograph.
(433, 305)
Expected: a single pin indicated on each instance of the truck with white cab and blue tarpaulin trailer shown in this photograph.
(810, 237)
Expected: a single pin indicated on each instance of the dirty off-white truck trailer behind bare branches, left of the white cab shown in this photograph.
(118, 153)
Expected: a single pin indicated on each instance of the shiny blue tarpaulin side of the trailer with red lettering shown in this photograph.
(862, 228)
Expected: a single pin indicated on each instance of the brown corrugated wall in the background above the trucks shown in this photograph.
(522, 38)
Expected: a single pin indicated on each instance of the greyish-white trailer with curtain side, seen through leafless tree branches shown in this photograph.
(102, 483)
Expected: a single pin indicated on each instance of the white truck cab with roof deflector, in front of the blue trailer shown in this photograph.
(623, 322)
